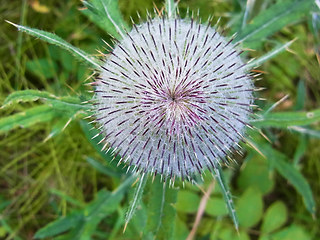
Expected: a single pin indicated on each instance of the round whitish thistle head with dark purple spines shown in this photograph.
(174, 98)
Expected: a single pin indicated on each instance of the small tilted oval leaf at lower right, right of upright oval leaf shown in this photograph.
(275, 216)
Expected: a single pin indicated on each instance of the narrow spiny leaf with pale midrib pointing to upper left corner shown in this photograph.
(54, 39)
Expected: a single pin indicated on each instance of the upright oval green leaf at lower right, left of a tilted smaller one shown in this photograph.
(250, 207)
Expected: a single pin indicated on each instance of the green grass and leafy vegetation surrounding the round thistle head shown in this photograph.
(52, 172)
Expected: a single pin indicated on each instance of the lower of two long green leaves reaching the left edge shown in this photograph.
(28, 118)
